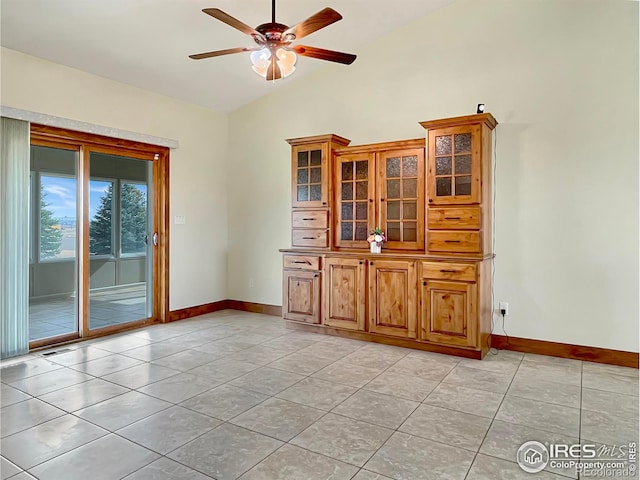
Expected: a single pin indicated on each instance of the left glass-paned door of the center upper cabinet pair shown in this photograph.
(355, 208)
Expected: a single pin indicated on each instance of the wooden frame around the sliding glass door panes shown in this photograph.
(85, 143)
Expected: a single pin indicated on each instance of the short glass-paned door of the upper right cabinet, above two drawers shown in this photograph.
(454, 167)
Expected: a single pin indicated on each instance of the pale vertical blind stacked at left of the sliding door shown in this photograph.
(14, 237)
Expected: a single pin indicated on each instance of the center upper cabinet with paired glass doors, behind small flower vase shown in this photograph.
(380, 185)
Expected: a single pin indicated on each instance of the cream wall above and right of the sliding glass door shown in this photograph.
(198, 187)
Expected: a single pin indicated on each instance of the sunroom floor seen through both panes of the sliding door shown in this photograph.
(56, 316)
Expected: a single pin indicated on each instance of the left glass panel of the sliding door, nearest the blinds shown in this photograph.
(53, 243)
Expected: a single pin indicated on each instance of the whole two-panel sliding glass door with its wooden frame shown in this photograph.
(97, 243)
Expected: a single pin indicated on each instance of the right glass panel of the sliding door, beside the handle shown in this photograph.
(121, 237)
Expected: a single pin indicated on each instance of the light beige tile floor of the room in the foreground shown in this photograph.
(236, 395)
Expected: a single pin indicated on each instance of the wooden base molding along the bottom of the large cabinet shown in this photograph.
(372, 337)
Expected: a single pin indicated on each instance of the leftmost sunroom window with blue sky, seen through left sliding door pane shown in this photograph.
(57, 217)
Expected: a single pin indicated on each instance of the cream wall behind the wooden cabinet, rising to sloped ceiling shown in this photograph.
(560, 76)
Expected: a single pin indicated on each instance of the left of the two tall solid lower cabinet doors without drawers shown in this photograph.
(344, 293)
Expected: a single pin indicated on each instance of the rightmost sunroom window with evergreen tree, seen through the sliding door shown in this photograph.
(133, 221)
